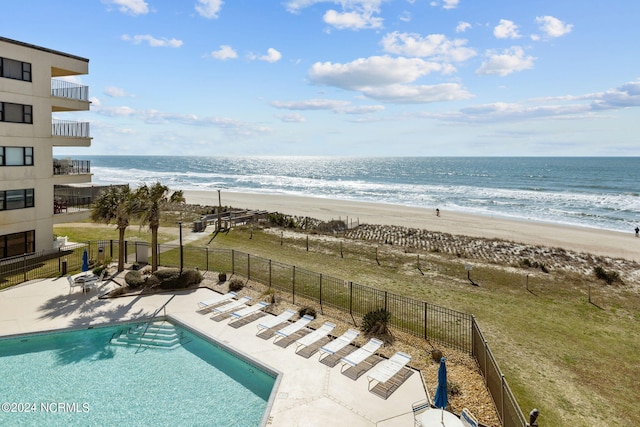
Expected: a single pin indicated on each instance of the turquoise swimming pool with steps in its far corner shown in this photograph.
(79, 378)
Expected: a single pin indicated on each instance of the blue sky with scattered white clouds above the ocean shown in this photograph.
(348, 78)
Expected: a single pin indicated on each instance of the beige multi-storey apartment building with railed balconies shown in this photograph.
(33, 103)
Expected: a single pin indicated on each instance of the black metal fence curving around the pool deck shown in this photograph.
(429, 321)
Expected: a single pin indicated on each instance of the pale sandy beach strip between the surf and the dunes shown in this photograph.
(594, 241)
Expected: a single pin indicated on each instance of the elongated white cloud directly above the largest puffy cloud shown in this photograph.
(433, 45)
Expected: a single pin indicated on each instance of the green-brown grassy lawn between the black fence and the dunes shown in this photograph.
(574, 360)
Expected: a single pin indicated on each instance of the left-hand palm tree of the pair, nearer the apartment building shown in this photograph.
(115, 205)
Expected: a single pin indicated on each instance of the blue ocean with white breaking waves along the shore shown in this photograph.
(595, 192)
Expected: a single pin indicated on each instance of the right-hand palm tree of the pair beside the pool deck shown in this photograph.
(152, 200)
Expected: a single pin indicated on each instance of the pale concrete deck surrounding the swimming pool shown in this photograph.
(310, 393)
